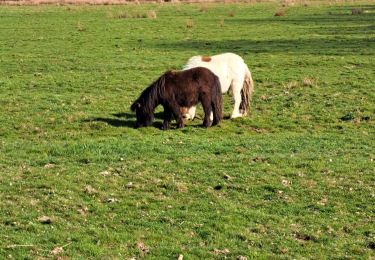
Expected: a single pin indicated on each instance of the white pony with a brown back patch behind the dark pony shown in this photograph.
(233, 73)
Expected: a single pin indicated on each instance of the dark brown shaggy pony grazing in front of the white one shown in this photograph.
(176, 89)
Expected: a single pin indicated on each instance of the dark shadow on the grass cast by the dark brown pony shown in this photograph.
(123, 120)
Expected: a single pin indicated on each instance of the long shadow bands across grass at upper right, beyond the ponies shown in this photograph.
(318, 35)
